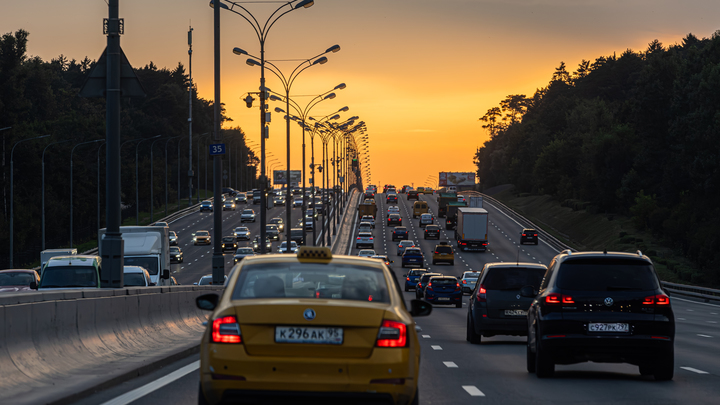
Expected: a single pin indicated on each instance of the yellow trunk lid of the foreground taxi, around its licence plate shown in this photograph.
(360, 322)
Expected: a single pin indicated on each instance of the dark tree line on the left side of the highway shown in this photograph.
(41, 97)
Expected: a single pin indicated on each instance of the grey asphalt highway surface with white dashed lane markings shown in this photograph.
(454, 371)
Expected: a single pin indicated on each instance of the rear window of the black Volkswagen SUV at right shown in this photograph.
(607, 275)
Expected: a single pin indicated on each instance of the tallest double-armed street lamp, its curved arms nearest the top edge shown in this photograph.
(262, 32)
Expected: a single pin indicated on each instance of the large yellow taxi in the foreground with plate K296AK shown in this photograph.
(314, 325)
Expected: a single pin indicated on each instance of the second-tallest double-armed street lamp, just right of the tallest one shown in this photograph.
(287, 84)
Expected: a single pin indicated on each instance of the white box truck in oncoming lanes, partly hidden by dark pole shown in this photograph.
(149, 247)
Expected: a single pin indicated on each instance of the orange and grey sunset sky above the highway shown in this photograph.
(418, 72)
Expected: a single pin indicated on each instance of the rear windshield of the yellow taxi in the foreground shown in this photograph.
(308, 280)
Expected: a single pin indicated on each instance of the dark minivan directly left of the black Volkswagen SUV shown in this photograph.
(496, 305)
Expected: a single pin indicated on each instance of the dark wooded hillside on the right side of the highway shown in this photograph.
(636, 134)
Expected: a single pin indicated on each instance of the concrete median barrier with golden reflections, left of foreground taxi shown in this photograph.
(56, 347)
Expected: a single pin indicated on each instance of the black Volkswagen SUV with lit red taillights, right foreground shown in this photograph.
(601, 307)
